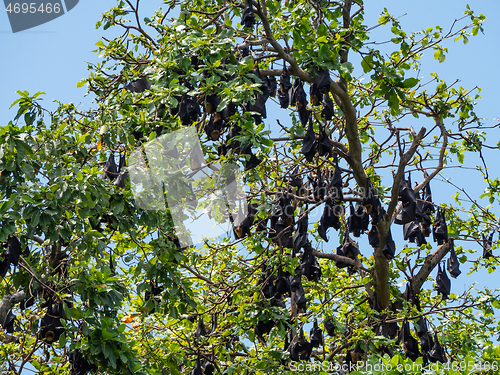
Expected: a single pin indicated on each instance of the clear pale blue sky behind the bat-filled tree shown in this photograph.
(51, 58)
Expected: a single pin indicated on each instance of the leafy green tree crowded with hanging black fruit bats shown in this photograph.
(94, 279)
